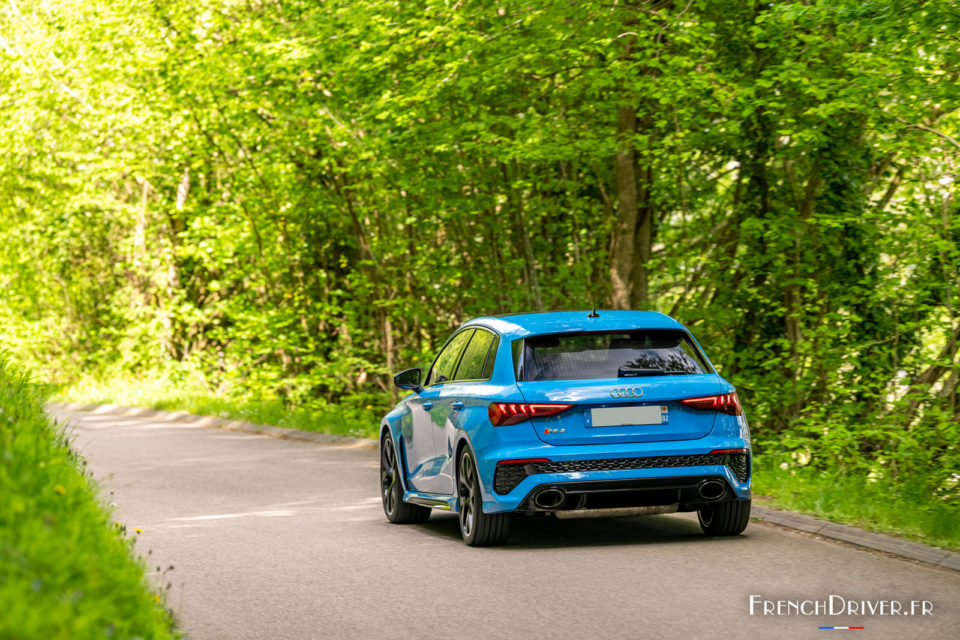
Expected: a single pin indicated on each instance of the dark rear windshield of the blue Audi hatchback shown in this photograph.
(623, 354)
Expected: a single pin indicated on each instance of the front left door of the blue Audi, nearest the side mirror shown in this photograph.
(429, 414)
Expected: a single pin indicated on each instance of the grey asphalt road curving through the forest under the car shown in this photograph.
(280, 539)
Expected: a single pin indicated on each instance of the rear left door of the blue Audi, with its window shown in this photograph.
(463, 399)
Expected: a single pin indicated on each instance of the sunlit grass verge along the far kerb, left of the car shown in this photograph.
(157, 392)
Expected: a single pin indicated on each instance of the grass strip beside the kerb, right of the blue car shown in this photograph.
(907, 510)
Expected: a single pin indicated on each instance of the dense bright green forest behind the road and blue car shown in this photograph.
(271, 206)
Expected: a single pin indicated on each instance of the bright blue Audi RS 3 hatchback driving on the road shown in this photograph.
(570, 414)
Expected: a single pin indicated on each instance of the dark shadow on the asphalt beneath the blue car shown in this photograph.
(551, 533)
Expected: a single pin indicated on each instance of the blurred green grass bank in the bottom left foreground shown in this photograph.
(66, 571)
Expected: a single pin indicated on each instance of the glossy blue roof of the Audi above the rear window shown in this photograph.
(527, 324)
